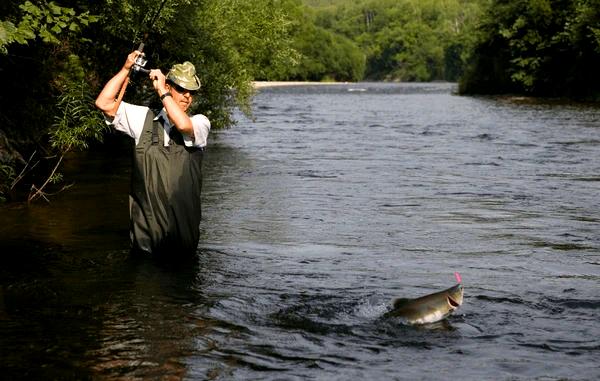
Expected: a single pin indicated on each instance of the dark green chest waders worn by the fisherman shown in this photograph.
(164, 202)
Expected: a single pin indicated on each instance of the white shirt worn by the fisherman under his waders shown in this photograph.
(130, 120)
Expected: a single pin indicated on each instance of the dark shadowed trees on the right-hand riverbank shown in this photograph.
(542, 47)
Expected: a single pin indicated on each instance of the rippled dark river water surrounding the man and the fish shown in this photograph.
(331, 202)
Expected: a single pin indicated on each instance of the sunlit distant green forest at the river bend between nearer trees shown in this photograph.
(393, 40)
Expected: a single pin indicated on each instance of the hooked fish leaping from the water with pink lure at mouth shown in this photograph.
(429, 308)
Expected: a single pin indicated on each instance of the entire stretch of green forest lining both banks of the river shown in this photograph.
(56, 55)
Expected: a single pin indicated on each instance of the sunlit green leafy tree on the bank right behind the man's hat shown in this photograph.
(235, 42)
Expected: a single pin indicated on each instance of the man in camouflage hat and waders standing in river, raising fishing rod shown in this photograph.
(166, 177)
